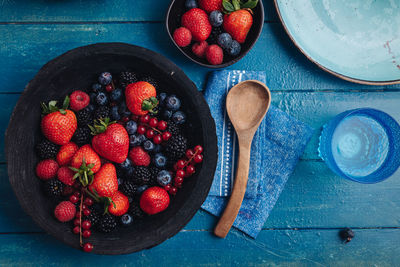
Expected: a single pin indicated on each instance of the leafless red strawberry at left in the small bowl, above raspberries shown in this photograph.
(196, 20)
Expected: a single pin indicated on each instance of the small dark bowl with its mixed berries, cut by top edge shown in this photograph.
(215, 33)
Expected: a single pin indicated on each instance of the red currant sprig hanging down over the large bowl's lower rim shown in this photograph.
(82, 227)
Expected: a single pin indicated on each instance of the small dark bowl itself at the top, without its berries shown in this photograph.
(177, 9)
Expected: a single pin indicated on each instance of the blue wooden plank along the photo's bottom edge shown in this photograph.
(370, 247)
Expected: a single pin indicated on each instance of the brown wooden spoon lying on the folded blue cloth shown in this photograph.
(246, 104)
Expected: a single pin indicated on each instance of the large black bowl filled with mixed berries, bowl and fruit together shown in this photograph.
(111, 148)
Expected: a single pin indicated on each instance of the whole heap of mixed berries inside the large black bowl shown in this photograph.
(114, 154)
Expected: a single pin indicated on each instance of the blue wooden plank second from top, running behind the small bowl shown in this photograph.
(23, 54)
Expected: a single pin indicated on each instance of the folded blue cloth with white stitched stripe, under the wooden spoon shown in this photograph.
(276, 148)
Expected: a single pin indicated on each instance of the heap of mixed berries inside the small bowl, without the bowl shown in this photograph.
(211, 34)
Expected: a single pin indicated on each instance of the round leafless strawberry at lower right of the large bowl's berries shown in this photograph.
(154, 200)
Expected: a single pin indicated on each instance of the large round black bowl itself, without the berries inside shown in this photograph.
(77, 69)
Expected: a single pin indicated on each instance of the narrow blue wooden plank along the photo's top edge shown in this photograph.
(106, 11)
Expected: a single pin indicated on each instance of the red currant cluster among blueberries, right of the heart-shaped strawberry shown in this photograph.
(153, 129)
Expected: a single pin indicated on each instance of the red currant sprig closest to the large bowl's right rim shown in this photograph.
(185, 168)
